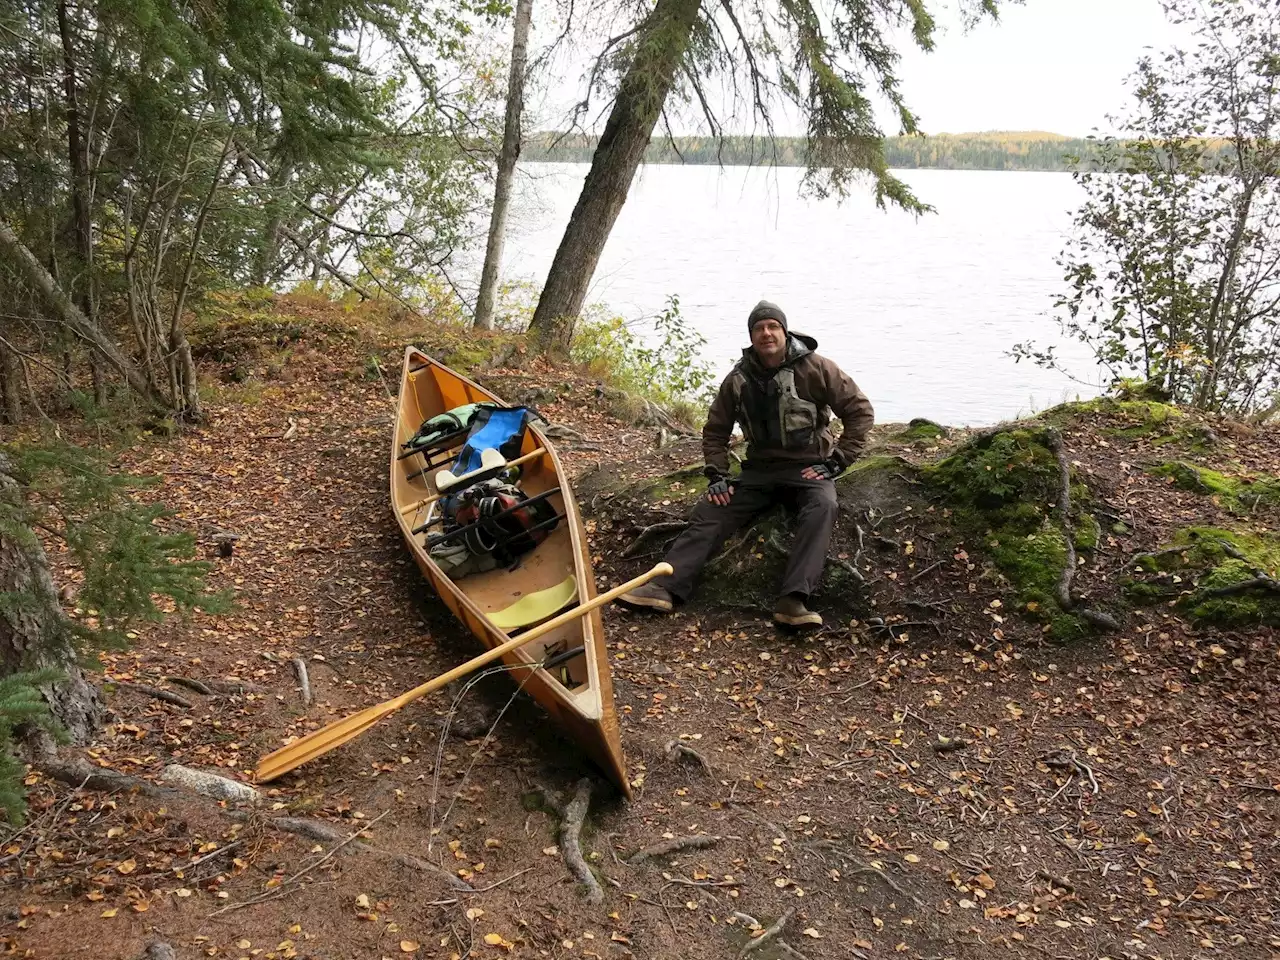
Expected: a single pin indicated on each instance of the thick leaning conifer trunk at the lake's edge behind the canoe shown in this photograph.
(660, 49)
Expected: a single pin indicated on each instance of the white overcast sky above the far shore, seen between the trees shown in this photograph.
(1054, 66)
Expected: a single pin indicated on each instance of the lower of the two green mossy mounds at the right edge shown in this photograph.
(1213, 559)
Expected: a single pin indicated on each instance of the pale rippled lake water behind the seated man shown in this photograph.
(920, 312)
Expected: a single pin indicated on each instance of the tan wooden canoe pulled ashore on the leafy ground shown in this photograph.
(579, 694)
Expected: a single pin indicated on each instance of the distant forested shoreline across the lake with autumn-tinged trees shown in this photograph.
(1030, 150)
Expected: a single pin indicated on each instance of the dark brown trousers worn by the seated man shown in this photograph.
(758, 490)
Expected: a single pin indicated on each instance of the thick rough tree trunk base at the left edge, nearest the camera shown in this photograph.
(34, 632)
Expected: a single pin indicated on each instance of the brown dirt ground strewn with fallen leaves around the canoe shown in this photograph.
(940, 784)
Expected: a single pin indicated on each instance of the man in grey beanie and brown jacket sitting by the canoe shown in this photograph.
(783, 395)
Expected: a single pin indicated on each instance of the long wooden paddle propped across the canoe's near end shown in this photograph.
(339, 733)
